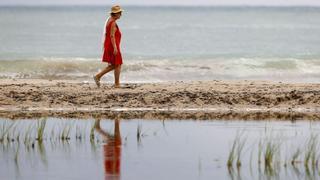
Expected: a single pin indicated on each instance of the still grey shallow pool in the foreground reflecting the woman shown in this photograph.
(151, 149)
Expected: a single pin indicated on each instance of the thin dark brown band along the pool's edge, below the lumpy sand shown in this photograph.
(239, 114)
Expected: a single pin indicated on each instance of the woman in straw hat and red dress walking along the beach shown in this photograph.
(112, 54)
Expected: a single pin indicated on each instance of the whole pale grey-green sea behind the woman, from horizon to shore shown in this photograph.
(161, 44)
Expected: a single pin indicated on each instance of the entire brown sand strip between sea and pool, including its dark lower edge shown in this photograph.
(181, 100)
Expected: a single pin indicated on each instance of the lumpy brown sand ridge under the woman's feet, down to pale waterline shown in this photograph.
(225, 95)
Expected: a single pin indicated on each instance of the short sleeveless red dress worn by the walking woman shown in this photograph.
(108, 55)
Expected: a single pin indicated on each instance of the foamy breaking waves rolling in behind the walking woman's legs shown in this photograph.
(155, 70)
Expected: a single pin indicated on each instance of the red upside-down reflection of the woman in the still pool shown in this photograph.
(112, 150)
